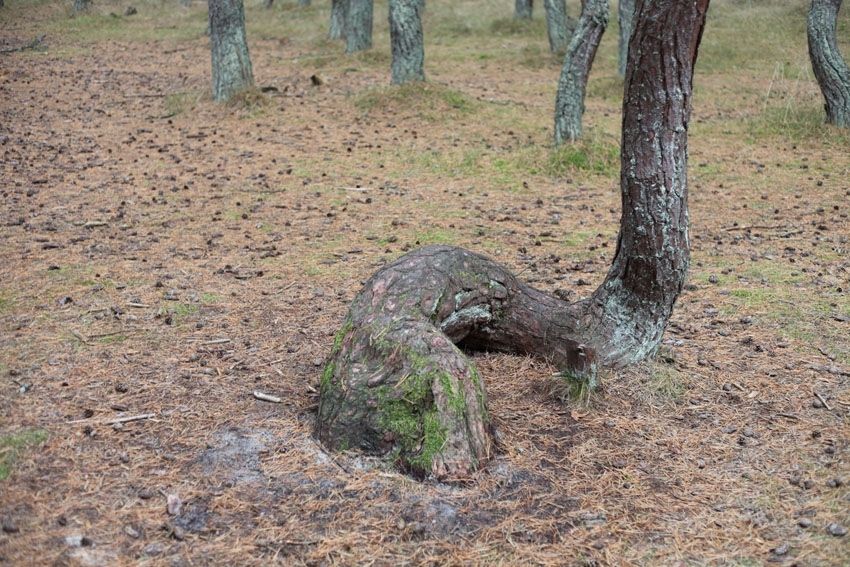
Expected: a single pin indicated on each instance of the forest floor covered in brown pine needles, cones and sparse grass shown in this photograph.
(165, 256)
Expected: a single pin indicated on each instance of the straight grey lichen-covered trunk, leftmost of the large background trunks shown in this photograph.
(231, 63)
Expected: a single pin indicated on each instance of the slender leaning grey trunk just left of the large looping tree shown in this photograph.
(569, 102)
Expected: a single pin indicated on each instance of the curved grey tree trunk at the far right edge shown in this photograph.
(830, 69)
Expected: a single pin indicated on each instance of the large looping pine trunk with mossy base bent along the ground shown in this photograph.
(396, 383)
